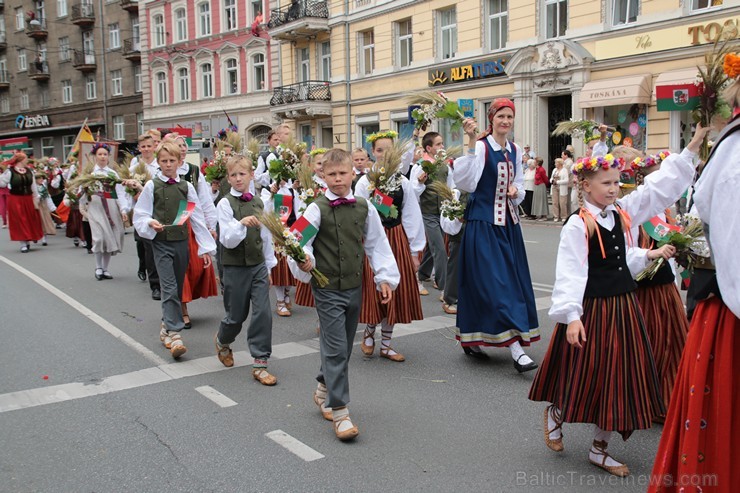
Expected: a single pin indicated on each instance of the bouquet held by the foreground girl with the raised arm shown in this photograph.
(690, 243)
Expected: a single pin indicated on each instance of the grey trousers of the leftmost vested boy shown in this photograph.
(171, 259)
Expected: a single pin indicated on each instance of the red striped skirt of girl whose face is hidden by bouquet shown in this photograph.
(405, 304)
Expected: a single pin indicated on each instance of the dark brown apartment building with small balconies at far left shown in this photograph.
(62, 62)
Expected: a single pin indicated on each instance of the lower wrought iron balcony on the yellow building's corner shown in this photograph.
(303, 100)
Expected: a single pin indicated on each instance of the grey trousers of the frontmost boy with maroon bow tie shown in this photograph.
(339, 312)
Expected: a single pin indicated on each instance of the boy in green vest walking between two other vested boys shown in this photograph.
(247, 258)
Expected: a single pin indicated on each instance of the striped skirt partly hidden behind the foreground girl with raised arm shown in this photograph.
(666, 325)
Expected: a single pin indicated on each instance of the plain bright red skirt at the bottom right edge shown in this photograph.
(701, 434)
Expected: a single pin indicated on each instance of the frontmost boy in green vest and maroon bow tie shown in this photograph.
(345, 227)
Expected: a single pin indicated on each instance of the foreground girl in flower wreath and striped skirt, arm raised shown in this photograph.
(599, 367)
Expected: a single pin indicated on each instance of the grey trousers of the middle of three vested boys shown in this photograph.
(243, 285)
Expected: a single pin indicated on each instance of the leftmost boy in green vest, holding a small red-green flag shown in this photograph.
(160, 216)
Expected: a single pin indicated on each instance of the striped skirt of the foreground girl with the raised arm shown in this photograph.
(612, 381)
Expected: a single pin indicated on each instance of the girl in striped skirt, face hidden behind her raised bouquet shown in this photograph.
(406, 236)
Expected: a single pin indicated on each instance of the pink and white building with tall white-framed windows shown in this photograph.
(205, 65)
